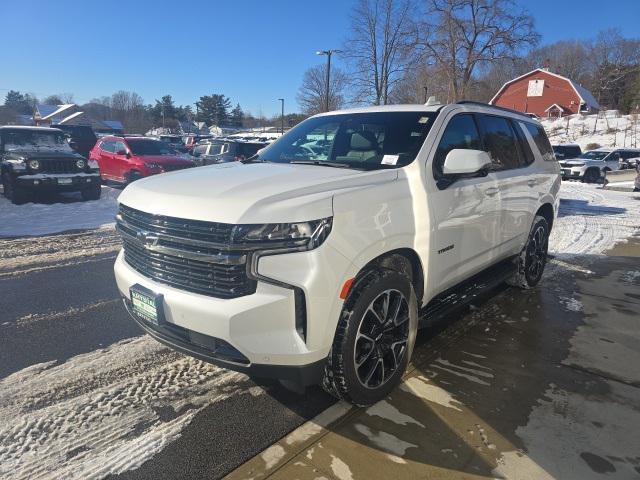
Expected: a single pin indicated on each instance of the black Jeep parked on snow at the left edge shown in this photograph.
(38, 159)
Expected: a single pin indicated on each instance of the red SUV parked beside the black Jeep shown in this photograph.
(125, 159)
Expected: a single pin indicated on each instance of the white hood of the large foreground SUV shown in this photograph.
(248, 193)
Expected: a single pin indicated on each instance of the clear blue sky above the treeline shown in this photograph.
(252, 51)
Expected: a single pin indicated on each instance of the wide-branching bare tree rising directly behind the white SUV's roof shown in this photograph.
(462, 36)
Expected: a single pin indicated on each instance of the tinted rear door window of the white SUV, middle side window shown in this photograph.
(500, 142)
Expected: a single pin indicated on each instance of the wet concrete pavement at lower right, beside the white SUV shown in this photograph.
(534, 384)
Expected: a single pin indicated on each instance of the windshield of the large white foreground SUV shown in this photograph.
(365, 141)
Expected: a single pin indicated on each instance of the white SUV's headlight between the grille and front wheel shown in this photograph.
(302, 235)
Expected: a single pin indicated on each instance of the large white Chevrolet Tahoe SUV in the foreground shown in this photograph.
(316, 260)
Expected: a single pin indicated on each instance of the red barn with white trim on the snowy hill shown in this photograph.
(545, 94)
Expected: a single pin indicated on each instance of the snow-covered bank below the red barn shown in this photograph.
(607, 129)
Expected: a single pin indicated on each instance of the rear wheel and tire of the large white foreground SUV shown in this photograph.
(533, 258)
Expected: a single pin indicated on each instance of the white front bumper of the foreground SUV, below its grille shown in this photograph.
(256, 333)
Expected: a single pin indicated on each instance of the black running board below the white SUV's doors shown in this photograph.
(464, 293)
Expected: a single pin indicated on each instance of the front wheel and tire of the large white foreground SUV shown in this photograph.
(369, 356)
